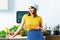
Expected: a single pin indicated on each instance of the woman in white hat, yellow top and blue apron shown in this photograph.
(32, 23)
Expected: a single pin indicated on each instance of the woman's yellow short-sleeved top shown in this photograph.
(31, 22)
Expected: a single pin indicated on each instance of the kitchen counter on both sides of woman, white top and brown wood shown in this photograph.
(52, 37)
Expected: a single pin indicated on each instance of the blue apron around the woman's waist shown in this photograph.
(35, 35)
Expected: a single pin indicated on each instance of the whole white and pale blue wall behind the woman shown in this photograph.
(49, 10)
